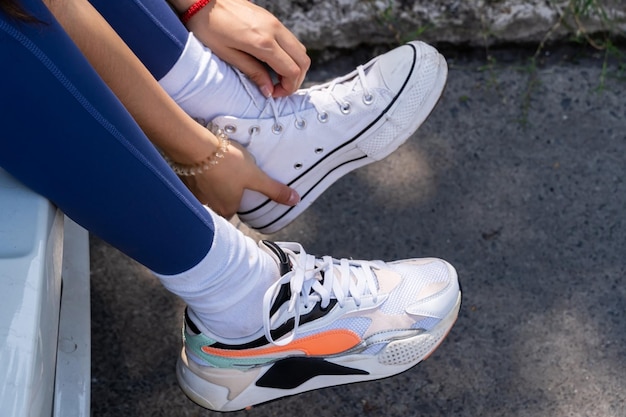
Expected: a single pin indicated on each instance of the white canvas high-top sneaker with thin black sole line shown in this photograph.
(314, 137)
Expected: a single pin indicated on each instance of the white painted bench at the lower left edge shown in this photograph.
(45, 339)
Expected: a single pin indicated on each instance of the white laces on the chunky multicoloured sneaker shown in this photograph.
(319, 280)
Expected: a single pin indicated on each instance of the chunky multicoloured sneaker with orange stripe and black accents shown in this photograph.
(326, 322)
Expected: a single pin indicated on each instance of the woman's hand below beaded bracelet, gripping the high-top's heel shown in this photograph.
(222, 186)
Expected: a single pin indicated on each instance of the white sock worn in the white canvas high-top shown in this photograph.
(206, 87)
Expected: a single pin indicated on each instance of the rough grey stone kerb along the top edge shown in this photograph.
(346, 23)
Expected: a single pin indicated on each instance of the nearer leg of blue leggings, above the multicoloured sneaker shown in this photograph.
(67, 137)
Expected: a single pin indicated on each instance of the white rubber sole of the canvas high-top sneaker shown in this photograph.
(270, 217)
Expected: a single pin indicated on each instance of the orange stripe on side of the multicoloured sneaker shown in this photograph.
(326, 343)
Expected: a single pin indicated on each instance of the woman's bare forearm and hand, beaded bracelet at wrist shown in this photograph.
(167, 126)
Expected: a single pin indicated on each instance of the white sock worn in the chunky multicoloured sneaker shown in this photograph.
(225, 289)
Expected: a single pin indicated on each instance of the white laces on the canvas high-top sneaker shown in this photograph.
(276, 106)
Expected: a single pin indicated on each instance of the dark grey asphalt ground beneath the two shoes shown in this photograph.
(518, 179)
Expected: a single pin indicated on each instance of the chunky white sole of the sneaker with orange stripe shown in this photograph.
(209, 387)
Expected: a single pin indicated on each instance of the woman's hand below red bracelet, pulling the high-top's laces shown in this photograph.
(246, 36)
